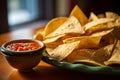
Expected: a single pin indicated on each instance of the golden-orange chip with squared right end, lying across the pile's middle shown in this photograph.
(85, 41)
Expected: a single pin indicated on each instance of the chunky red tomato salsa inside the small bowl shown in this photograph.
(27, 46)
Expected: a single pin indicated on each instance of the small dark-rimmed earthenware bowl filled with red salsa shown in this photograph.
(23, 54)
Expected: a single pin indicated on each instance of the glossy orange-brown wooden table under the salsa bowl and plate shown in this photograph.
(43, 71)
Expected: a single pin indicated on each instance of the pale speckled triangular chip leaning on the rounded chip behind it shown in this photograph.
(72, 25)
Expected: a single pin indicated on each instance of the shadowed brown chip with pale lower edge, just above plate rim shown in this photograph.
(82, 56)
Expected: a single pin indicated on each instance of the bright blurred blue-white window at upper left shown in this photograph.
(21, 11)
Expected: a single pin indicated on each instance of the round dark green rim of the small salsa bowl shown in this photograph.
(22, 53)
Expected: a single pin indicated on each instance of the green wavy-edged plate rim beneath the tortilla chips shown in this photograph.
(80, 67)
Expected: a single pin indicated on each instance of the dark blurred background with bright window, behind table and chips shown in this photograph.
(15, 14)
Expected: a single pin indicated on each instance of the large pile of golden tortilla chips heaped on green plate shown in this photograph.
(78, 39)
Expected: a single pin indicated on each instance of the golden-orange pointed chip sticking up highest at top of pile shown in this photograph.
(78, 13)
